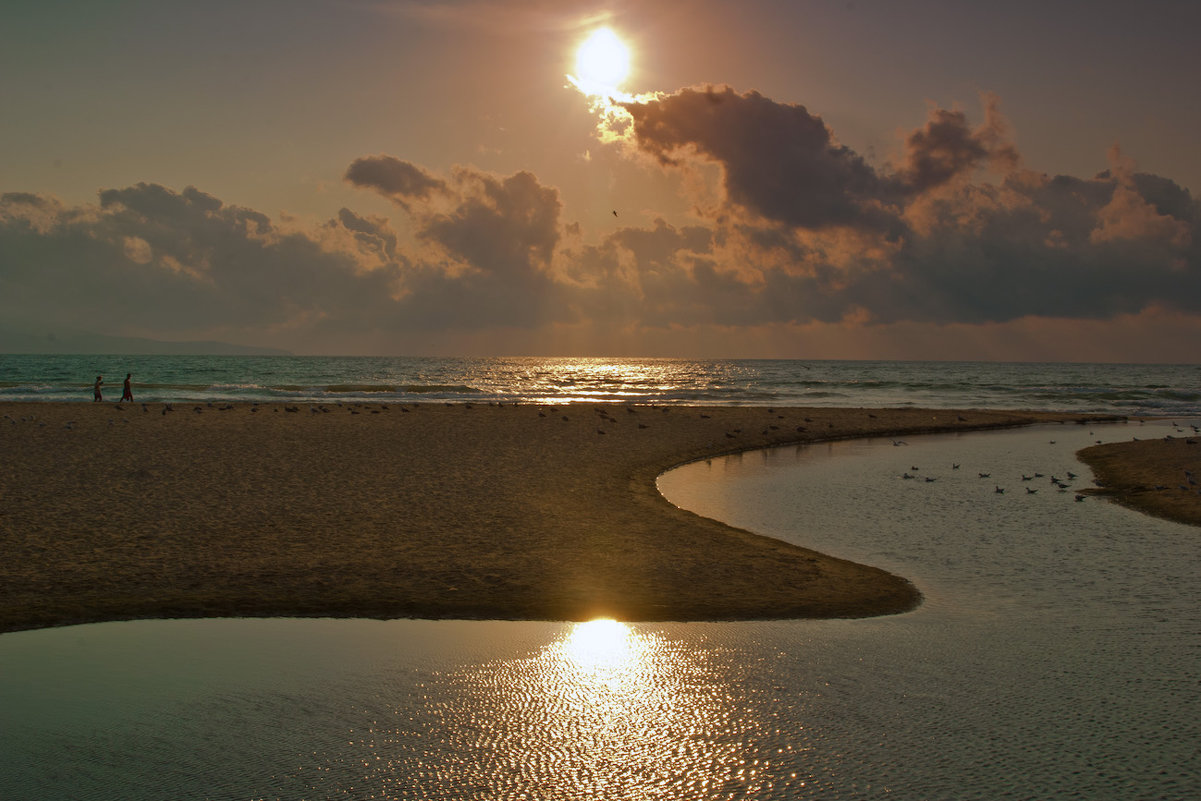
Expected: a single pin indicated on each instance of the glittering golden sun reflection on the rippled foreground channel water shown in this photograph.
(607, 710)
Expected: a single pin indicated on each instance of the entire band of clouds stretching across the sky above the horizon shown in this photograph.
(805, 236)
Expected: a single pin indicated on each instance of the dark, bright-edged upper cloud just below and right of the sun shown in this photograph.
(785, 165)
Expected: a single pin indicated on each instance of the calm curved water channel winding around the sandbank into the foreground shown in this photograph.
(1056, 656)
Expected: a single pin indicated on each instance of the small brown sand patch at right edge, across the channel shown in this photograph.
(1160, 477)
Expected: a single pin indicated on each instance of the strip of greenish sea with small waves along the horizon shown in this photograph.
(1128, 390)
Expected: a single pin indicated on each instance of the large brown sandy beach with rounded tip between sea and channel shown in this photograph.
(426, 511)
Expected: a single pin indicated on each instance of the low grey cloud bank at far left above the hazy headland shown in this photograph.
(152, 260)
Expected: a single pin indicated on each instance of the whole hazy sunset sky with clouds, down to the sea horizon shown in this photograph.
(781, 180)
